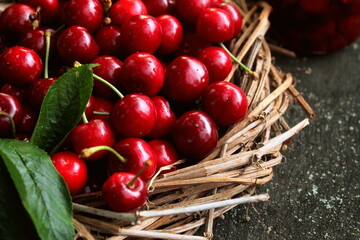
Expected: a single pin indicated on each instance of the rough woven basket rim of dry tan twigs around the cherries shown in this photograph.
(182, 201)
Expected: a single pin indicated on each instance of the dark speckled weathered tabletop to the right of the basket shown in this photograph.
(316, 193)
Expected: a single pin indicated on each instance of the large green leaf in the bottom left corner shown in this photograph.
(42, 190)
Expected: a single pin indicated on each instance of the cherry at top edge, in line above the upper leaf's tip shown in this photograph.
(85, 13)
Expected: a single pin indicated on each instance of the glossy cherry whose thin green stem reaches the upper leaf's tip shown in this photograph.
(133, 116)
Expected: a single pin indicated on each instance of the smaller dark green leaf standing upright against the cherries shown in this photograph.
(62, 108)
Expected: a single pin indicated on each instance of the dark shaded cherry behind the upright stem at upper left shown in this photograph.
(35, 39)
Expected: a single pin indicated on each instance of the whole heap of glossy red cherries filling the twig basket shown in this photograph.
(164, 97)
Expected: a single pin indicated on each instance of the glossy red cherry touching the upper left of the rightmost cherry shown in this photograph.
(185, 79)
